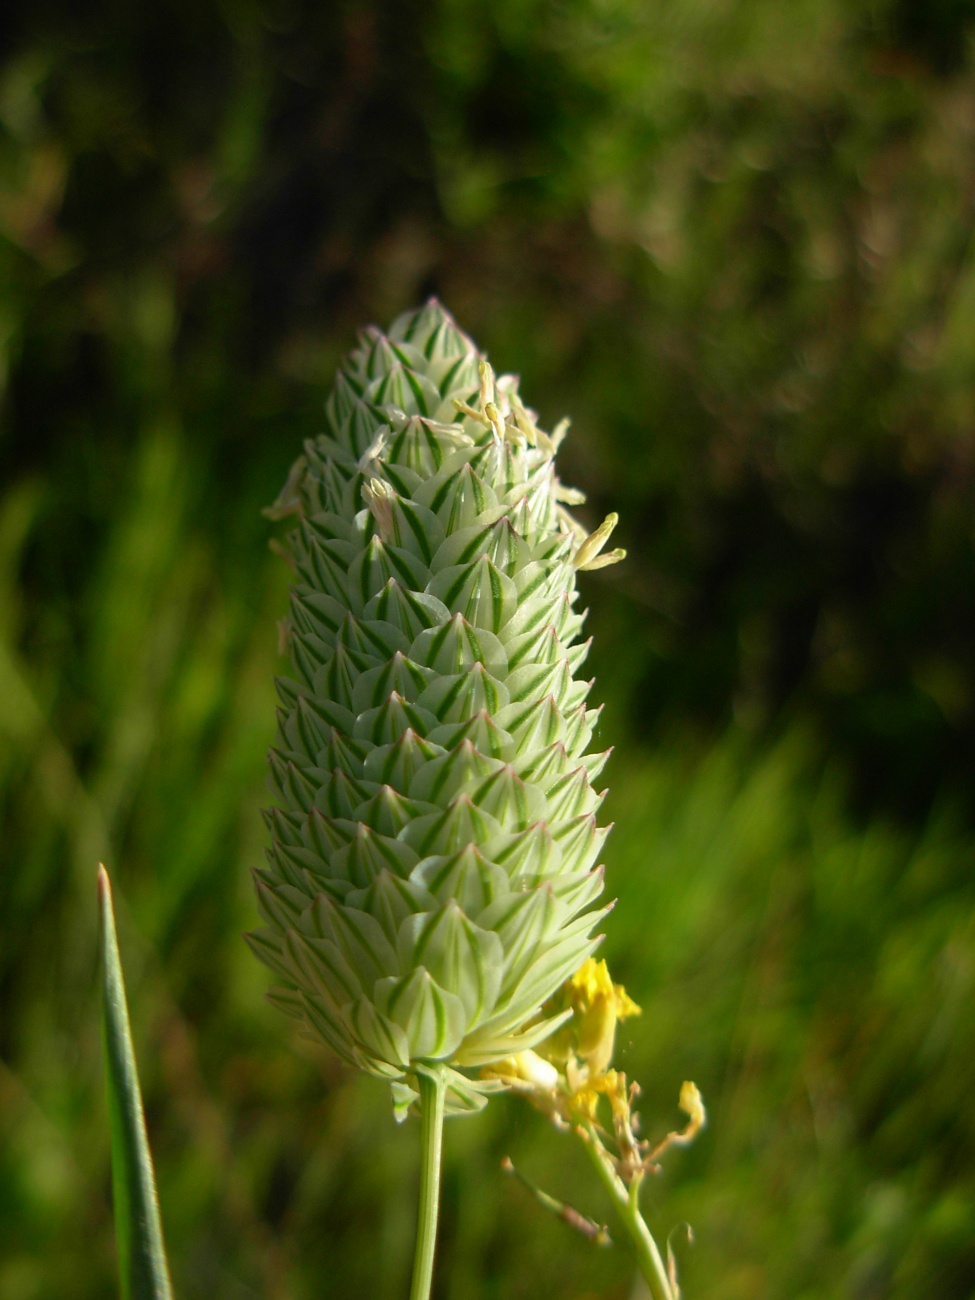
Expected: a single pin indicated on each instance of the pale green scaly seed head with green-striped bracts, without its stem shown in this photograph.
(432, 878)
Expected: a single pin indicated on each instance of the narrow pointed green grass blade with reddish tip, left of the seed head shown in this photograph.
(142, 1259)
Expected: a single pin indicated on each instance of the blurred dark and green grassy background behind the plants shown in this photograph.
(735, 242)
